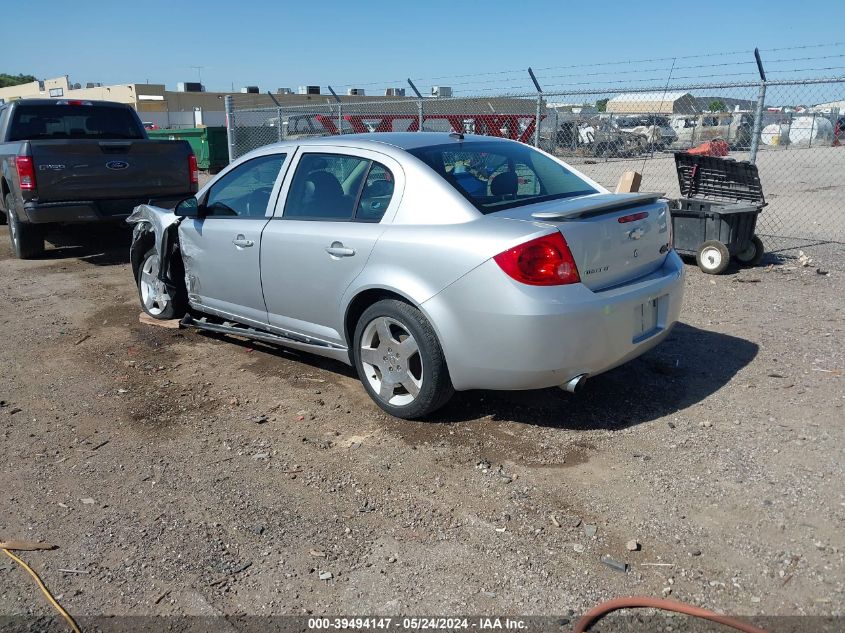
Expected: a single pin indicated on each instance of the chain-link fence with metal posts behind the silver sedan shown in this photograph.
(790, 129)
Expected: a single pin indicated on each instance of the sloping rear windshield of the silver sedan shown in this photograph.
(497, 176)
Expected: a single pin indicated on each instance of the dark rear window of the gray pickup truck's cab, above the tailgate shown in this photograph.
(45, 122)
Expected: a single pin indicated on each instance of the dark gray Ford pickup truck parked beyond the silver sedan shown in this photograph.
(70, 161)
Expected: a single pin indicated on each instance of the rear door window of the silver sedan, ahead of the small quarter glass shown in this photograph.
(326, 187)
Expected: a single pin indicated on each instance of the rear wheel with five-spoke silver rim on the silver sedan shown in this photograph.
(406, 375)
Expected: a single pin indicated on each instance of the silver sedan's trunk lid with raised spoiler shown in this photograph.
(614, 238)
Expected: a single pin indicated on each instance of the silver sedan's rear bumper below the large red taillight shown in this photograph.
(499, 334)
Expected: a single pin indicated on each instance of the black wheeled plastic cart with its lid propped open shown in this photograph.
(716, 216)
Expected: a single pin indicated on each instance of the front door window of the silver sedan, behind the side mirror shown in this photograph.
(245, 191)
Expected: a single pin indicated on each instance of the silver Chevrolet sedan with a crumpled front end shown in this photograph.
(430, 262)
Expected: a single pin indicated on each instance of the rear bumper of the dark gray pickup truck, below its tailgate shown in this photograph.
(84, 211)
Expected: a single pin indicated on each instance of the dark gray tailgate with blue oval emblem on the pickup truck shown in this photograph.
(87, 169)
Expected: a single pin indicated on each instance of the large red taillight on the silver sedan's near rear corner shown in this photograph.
(544, 261)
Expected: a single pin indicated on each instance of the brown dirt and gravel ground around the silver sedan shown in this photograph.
(180, 473)
